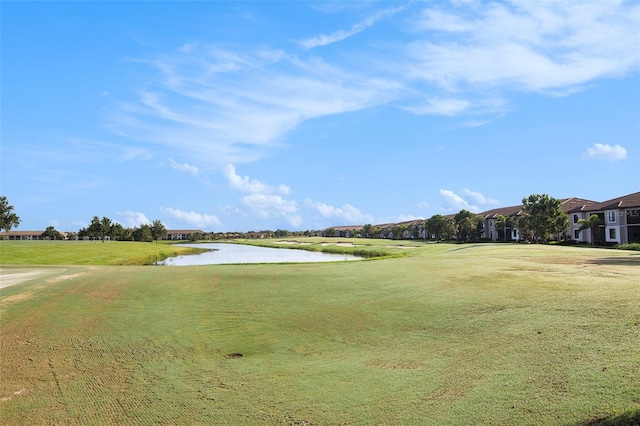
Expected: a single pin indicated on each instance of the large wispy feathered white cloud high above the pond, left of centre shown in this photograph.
(219, 106)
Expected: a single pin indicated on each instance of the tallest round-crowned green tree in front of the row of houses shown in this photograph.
(544, 216)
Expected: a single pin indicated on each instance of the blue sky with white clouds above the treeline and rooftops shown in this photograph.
(238, 116)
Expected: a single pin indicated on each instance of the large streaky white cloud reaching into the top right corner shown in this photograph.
(548, 47)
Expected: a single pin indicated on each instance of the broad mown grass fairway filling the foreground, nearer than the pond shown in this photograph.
(445, 335)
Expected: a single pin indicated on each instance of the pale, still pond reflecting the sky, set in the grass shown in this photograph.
(220, 254)
